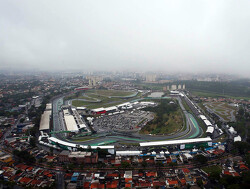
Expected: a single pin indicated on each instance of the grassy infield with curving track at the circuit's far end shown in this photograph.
(102, 98)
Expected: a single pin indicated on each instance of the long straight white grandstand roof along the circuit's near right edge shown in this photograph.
(176, 142)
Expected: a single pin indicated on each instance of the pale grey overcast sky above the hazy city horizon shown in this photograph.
(137, 35)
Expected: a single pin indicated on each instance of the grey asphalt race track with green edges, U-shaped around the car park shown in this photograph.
(192, 129)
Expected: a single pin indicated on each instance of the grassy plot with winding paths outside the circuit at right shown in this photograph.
(224, 110)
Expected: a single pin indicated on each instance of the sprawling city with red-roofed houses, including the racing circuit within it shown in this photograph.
(121, 130)
